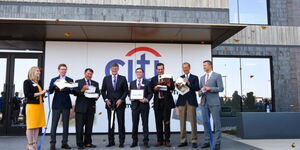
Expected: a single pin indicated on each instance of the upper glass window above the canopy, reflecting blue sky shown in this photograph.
(248, 12)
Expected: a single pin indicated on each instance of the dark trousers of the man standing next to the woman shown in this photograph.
(55, 120)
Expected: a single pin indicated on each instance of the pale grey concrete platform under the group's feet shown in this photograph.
(19, 142)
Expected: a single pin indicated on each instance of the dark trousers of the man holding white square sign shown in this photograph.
(135, 123)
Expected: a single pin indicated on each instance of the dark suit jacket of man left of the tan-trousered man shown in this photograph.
(169, 101)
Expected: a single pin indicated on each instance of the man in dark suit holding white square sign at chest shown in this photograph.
(140, 107)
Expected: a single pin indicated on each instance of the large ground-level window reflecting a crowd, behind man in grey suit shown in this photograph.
(247, 84)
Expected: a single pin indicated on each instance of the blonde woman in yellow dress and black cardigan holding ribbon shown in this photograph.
(35, 115)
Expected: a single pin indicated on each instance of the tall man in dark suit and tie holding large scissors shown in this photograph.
(114, 92)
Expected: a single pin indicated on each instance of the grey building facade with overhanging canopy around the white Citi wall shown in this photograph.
(259, 64)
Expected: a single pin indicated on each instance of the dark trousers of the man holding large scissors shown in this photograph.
(120, 115)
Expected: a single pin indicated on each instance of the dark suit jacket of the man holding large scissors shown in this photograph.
(121, 91)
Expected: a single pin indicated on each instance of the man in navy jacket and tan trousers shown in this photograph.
(187, 104)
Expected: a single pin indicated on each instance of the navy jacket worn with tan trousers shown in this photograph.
(191, 95)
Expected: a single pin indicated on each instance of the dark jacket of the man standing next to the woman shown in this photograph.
(61, 99)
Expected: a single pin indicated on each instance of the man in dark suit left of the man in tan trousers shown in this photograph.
(163, 104)
